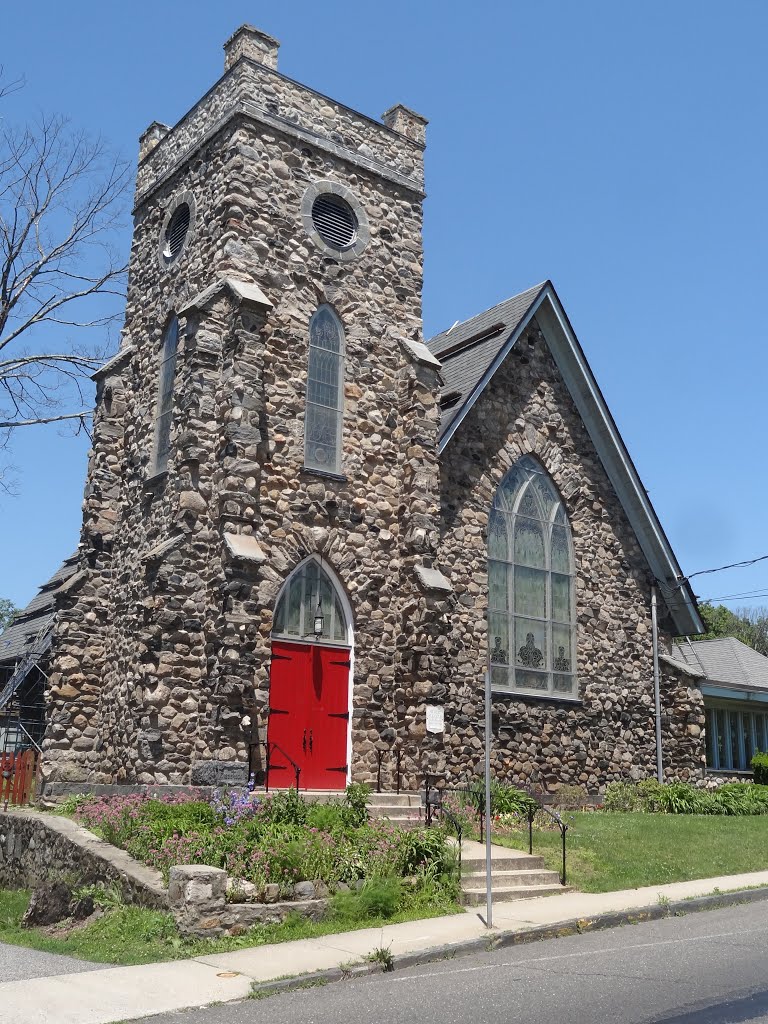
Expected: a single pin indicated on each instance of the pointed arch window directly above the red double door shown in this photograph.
(308, 593)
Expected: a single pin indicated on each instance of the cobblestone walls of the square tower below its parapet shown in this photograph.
(185, 649)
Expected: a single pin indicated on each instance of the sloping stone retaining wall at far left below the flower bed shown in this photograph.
(35, 847)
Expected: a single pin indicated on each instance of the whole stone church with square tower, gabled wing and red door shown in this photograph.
(308, 532)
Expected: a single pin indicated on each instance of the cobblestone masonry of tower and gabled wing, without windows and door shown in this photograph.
(163, 639)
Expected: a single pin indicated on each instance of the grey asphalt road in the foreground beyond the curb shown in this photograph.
(709, 968)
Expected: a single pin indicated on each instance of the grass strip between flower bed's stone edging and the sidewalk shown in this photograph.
(135, 935)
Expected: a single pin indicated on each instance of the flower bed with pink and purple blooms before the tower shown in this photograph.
(274, 840)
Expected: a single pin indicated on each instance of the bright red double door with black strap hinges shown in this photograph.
(309, 716)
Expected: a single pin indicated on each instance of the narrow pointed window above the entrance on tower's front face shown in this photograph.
(325, 397)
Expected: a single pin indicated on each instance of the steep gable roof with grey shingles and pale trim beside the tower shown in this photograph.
(472, 353)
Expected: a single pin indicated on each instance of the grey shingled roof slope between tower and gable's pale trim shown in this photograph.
(465, 365)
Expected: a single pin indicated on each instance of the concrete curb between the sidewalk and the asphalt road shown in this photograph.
(503, 940)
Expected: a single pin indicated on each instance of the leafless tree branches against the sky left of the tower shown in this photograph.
(63, 197)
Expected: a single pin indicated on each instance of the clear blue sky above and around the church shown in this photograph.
(619, 149)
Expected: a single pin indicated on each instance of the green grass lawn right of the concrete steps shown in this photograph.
(612, 850)
